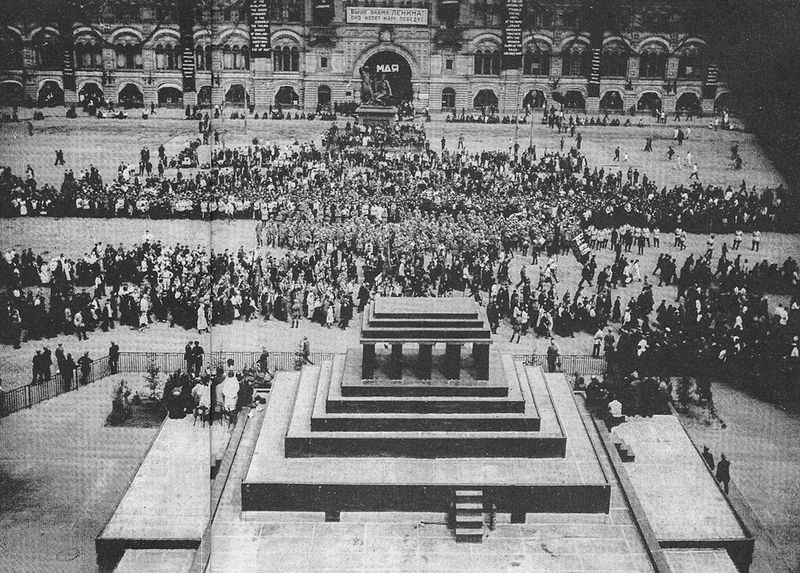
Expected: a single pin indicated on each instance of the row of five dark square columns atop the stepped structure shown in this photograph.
(452, 365)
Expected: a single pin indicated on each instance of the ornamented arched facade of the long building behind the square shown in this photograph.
(445, 54)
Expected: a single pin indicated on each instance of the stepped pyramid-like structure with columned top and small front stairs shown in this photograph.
(424, 417)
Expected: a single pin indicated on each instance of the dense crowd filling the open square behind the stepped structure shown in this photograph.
(356, 221)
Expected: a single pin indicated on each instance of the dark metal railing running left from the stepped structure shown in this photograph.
(31, 394)
